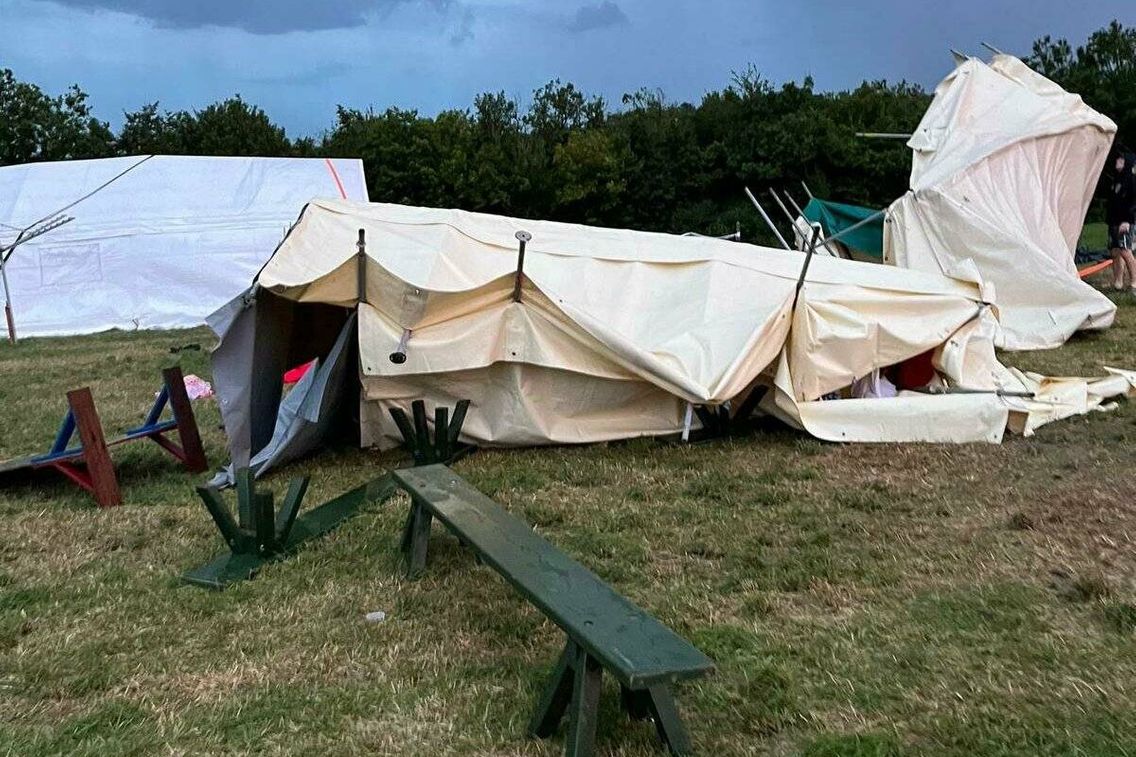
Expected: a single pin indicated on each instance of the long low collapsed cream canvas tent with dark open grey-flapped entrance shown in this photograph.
(613, 335)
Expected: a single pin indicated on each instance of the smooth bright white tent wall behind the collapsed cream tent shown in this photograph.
(164, 243)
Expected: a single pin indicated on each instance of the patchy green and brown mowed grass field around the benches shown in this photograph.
(858, 600)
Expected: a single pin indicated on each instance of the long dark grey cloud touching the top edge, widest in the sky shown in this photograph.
(254, 16)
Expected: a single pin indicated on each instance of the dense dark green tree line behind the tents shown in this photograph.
(646, 163)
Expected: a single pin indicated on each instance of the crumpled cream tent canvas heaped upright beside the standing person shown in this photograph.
(1005, 167)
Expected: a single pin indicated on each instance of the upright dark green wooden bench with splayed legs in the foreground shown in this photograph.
(605, 630)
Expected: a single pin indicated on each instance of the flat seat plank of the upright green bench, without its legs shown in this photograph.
(633, 646)
